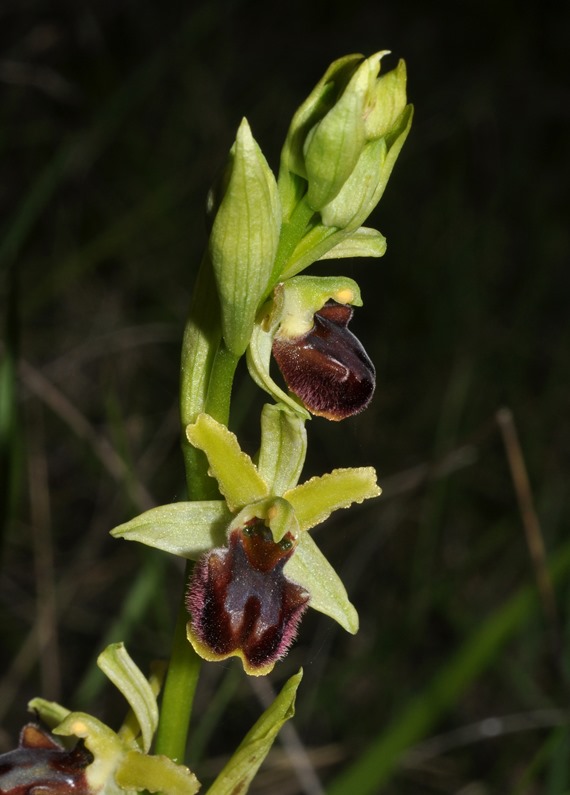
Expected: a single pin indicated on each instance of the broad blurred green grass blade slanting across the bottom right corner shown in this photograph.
(379, 761)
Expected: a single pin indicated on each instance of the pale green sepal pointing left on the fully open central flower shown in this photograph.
(187, 529)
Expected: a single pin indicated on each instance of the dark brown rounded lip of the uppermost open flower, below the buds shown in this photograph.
(327, 367)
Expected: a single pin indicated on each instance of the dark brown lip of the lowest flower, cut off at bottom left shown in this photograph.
(41, 766)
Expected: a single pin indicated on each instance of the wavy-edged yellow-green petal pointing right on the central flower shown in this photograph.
(315, 500)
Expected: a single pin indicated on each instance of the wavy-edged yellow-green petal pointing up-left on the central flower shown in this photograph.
(237, 476)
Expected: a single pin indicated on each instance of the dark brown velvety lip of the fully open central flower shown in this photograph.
(241, 602)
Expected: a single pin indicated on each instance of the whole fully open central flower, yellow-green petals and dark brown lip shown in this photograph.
(258, 567)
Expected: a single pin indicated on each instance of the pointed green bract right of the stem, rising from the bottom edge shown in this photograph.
(240, 770)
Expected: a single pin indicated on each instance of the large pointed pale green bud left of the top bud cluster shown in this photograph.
(244, 237)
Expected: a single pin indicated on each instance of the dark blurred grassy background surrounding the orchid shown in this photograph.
(115, 119)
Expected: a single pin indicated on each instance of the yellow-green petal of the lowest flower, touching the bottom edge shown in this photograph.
(155, 774)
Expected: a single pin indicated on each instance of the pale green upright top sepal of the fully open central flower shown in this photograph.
(283, 447)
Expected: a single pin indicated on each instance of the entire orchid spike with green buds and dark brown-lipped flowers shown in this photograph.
(246, 522)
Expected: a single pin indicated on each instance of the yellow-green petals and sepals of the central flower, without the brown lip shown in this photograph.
(265, 491)
